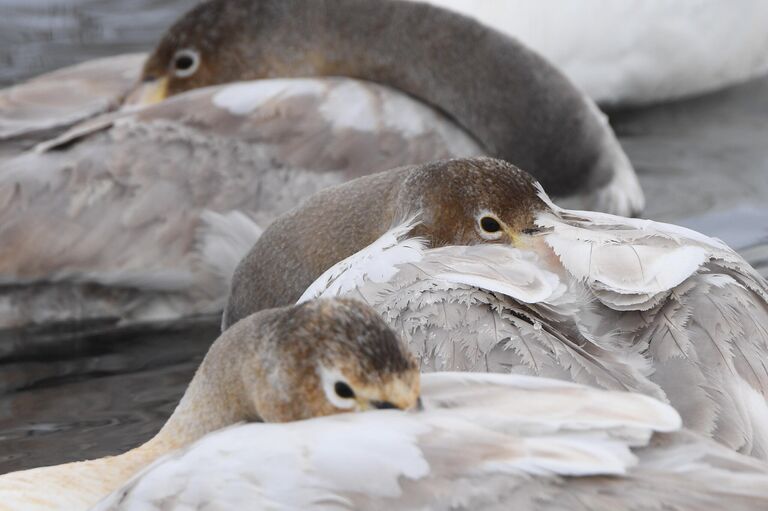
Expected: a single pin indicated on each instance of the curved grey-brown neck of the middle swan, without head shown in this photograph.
(294, 250)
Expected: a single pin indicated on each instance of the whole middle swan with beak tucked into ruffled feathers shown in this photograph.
(478, 270)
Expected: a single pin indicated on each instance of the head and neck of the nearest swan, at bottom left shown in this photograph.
(287, 364)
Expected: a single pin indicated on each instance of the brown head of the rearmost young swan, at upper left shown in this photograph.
(222, 41)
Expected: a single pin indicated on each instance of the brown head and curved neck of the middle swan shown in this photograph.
(450, 198)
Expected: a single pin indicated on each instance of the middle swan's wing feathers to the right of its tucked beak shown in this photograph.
(694, 306)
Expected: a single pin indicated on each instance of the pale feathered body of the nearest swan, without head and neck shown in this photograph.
(481, 442)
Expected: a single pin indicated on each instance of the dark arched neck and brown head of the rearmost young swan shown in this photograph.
(519, 106)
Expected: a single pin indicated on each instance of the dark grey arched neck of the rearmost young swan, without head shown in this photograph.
(517, 105)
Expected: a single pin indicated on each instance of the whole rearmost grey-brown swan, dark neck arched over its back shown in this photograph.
(141, 215)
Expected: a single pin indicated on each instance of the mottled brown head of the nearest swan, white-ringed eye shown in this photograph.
(320, 358)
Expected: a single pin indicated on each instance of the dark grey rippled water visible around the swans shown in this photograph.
(703, 162)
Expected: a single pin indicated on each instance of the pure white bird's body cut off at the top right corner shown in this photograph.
(637, 51)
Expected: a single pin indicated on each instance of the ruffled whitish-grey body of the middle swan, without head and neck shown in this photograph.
(597, 299)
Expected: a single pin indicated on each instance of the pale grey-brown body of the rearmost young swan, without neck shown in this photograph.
(141, 216)
